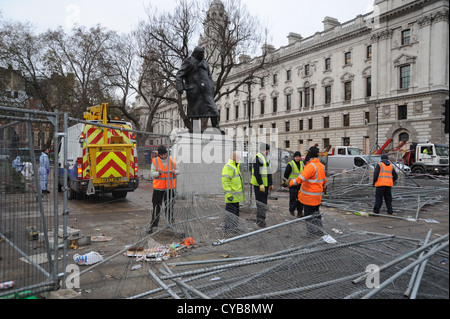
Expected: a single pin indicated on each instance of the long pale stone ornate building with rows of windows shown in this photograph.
(381, 75)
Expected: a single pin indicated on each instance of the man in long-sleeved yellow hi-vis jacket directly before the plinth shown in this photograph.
(233, 186)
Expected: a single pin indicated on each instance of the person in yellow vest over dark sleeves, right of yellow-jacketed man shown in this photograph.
(262, 183)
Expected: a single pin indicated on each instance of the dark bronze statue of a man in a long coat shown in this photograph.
(195, 77)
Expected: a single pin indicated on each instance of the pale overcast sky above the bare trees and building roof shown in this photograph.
(280, 16)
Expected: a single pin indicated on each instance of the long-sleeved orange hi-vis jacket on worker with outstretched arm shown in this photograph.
(313, 181)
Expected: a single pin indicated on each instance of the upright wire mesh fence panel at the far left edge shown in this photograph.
(29, 221)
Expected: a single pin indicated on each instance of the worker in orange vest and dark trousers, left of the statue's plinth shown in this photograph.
(163, 172)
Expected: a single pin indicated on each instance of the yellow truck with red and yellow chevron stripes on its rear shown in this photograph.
(101, 156)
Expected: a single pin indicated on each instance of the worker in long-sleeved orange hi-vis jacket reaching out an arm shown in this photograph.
(313, 184)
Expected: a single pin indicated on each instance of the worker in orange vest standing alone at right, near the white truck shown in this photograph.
(384, 177)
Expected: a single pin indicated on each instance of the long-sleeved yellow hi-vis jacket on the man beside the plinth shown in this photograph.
(232, 183)
